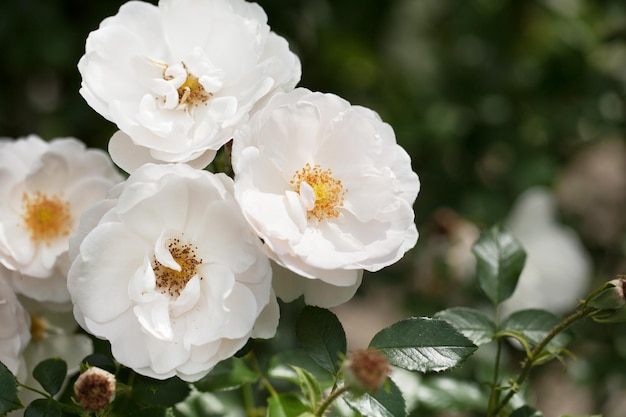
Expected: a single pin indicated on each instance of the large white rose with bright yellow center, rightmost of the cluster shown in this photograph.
(328, 190)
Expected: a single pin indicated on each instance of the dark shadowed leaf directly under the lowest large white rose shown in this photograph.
(155, 392)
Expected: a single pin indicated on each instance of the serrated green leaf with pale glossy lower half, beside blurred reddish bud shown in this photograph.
(423, 344)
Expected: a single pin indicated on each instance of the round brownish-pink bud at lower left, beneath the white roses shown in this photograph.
(94, 389)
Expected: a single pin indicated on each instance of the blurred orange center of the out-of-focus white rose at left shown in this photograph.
(46, 217)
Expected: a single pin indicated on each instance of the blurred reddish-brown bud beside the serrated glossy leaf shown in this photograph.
(366, 370)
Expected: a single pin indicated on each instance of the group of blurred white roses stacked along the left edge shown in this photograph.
(45, 186)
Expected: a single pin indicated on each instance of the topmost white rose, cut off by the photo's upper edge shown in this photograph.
(178, 78)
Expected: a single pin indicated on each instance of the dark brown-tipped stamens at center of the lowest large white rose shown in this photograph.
(170, 281)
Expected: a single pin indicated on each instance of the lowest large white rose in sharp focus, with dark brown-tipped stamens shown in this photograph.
(169, 272)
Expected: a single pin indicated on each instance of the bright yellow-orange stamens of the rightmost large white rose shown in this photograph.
(329, 191)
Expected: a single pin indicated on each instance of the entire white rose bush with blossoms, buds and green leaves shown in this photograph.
(161, 286)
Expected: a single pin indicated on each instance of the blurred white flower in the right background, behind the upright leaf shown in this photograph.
(558, 268)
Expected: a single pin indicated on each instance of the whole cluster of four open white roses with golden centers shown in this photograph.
(176, 266)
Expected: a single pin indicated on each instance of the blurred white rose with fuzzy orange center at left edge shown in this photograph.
(44, 188)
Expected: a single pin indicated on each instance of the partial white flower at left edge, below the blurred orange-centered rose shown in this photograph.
(14, 330)
